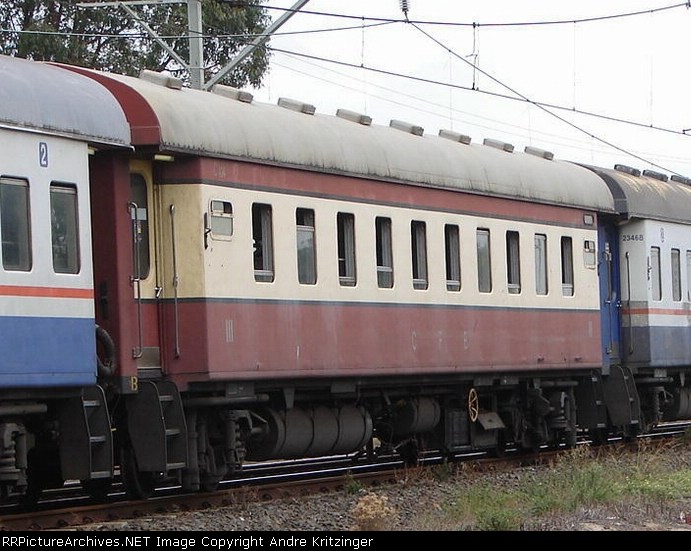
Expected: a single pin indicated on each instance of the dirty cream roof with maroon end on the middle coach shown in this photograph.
(227, 123)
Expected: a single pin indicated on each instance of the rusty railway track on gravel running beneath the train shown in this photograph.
(68, 508)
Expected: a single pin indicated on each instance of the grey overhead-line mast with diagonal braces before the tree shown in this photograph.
(195, 66)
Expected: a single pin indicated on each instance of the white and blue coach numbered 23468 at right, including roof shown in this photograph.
(647, 289)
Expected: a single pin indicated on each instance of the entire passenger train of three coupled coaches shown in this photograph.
(264, 281)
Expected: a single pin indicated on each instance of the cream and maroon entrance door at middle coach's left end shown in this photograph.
(147, 350)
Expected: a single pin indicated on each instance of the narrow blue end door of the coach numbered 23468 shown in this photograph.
(610, 296)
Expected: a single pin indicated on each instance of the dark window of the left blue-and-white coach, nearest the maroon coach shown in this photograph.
(64, 228)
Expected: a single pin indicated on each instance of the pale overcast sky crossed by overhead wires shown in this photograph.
(584, 80)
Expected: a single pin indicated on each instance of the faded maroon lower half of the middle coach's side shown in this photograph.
(258, 340)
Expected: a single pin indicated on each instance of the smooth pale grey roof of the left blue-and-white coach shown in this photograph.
(39, 97)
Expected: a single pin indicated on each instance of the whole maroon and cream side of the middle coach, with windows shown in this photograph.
(326, 281)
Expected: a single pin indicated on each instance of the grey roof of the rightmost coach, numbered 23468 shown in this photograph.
(648, 194)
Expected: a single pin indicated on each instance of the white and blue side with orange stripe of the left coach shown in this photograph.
(46, 289)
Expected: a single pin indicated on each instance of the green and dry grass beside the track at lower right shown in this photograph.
(580, 479)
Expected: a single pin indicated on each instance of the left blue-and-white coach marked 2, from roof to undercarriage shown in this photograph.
(49, 120)
